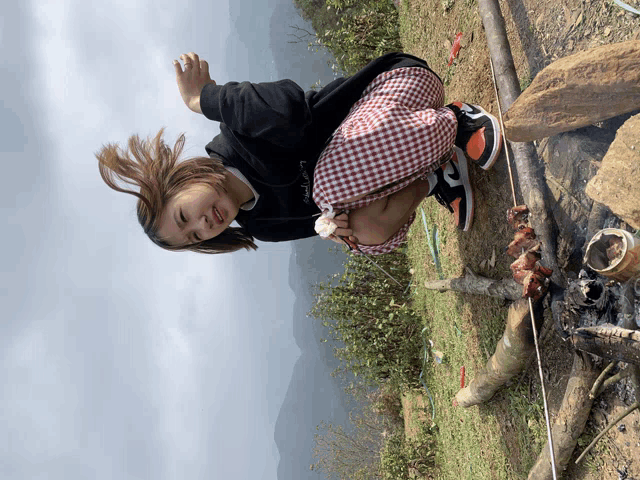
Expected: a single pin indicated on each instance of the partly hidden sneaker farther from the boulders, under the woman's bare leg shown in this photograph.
(450, 185)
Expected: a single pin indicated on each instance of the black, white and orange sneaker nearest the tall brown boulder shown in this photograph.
(478, 134)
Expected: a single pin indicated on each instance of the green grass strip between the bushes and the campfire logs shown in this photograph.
(502, 439)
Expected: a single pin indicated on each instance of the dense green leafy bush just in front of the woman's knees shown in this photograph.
(375, 332)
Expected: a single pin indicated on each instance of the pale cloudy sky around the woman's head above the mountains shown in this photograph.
(118, 359)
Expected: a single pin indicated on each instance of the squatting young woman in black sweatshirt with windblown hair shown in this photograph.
(369, 147)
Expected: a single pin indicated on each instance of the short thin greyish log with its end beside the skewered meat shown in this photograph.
(506, 289)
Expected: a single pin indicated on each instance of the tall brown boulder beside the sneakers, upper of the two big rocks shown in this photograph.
(576, 91)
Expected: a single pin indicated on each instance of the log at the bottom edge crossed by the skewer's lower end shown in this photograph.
(570, 420)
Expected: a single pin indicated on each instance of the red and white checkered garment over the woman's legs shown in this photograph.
(396, 133)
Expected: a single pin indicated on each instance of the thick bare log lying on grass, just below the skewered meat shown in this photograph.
(512, 352)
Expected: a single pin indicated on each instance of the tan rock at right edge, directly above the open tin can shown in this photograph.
(617, 183)
